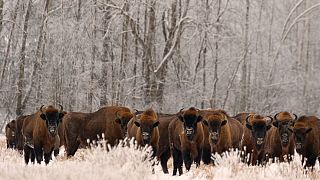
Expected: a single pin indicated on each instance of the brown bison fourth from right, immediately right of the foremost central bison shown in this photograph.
(222, 132)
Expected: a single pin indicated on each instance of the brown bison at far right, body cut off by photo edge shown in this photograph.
(306, 137)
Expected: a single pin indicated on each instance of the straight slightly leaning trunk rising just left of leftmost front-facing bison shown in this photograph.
(21, 81)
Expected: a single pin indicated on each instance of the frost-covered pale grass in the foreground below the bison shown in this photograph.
(127, 163)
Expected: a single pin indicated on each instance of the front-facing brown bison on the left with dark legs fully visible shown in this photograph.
(40, 133)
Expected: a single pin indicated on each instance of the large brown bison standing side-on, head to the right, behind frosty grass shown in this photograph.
(79, 127)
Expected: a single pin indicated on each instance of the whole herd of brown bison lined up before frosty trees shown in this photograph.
(190, 136)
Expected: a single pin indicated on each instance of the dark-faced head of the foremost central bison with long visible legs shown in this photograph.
(190, 118)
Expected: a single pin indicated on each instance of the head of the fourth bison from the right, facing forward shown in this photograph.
(214, 123)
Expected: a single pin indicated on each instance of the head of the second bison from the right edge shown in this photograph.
(283, 121)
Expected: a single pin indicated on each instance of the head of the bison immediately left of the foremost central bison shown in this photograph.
(147, 121)
